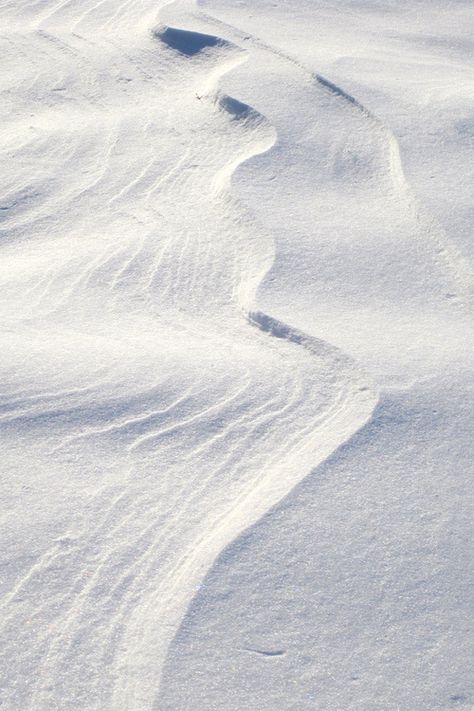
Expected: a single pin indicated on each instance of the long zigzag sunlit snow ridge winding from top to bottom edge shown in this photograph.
(317, 441)
